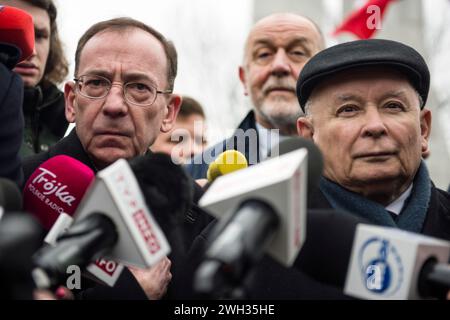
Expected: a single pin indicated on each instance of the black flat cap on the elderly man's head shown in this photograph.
(362, 53)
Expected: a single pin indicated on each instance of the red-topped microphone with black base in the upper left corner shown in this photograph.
(16, 35)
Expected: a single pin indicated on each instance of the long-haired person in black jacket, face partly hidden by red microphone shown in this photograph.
(43, 102)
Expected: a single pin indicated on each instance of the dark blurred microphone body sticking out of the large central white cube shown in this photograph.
(233, 249)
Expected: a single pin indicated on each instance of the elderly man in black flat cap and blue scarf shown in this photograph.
(365, 109)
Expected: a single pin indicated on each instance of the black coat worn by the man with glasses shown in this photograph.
(127, 287)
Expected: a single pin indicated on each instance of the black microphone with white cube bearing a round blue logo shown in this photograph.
(373, 262)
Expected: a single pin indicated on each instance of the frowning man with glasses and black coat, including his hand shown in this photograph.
(120, 100)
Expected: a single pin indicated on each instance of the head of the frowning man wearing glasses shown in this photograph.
(121, 97)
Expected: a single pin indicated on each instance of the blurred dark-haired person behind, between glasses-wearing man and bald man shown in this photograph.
(187, 138)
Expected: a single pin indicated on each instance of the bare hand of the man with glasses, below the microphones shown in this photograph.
(154, 280)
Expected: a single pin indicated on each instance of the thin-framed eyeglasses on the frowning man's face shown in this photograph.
(98, 87)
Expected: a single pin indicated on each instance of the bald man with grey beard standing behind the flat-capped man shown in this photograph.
(276, 50)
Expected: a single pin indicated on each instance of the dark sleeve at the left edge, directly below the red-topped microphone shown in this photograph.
(12, 124)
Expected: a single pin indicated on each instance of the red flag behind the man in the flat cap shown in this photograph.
(366, 20)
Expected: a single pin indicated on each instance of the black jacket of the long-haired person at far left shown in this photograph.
(45, 120)
